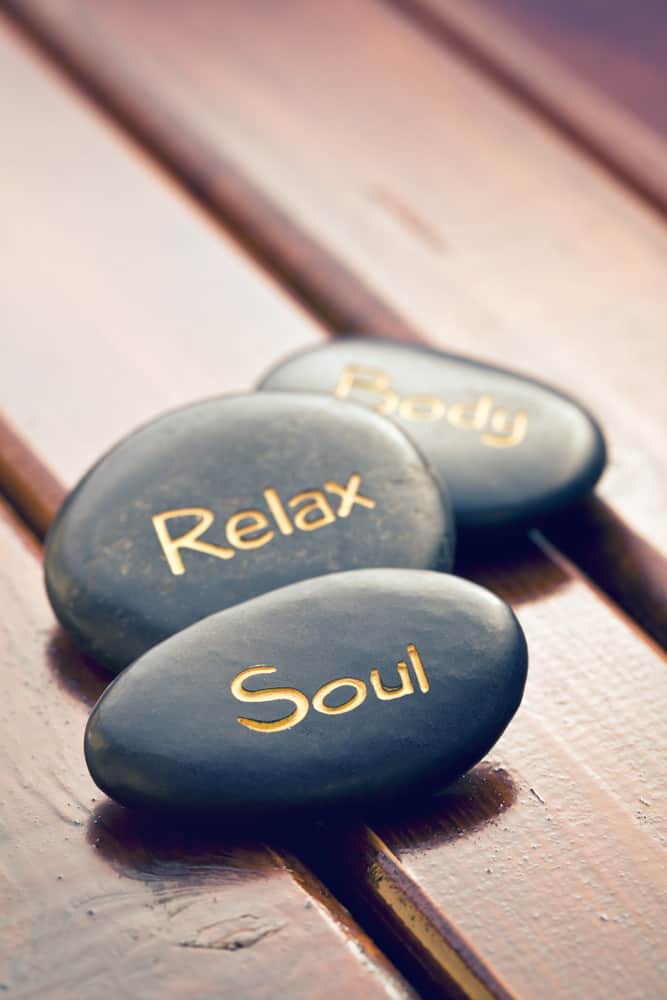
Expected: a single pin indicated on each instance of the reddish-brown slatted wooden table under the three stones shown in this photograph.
(189, 192)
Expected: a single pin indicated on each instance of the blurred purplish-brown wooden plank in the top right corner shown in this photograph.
(600, 69)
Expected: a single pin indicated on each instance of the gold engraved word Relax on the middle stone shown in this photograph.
(250, 529)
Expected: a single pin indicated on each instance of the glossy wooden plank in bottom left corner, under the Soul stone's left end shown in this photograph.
(99, 902)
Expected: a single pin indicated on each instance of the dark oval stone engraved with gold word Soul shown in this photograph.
(352, 689)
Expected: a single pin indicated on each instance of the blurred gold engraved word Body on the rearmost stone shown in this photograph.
(497, 428)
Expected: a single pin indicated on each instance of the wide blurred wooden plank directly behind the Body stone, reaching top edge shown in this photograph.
(483, 228)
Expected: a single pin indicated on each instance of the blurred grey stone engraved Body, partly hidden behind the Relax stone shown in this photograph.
(510, 449)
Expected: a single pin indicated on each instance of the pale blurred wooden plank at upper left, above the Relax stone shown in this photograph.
(107, 269)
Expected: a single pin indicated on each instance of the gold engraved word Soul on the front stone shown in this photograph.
(302, 704)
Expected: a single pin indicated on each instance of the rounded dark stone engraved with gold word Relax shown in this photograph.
(118, 589)
